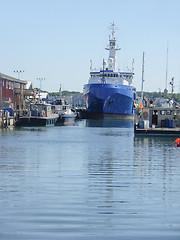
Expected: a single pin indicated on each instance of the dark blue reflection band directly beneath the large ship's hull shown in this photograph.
(108, 123)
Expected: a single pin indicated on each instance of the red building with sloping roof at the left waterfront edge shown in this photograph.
(11, 92)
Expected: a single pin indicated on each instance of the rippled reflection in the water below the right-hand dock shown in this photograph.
(156, 164)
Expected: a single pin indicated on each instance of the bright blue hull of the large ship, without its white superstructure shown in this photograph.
(109, 99)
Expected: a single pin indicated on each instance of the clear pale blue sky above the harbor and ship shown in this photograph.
(56, 40)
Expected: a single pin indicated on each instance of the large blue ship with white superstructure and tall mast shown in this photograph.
(110, 91)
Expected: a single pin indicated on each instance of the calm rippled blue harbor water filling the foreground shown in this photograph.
(93, 180)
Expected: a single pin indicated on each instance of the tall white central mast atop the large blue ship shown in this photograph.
(112, 49)
